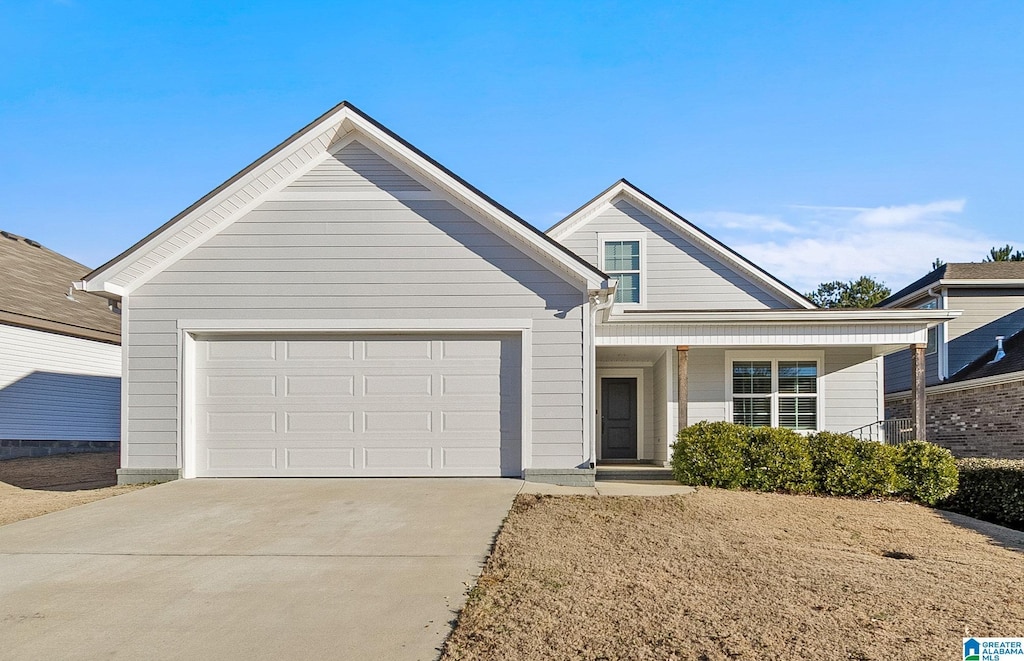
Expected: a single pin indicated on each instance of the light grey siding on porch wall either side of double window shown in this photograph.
(850, 386)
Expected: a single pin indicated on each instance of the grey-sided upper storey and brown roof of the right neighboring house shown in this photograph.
(992, 298)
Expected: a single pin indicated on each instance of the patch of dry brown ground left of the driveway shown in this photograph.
(31, 488)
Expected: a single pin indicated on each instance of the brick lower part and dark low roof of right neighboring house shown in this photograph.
(978, 412)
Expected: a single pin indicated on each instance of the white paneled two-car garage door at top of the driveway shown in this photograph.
(368, 406)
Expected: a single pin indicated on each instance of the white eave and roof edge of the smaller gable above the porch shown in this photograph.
(624, 190)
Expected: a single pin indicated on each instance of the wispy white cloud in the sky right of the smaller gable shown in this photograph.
(895, 244)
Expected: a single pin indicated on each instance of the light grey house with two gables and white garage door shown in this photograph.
(347, 306)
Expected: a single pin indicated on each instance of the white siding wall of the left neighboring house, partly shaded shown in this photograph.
(59, 388)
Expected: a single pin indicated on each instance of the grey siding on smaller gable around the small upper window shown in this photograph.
(679, 276)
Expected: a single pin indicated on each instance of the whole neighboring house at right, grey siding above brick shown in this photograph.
(974, 405)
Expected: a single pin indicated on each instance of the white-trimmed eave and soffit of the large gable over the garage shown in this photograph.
(284, 164)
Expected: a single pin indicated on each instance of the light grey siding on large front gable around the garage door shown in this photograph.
(323, 258)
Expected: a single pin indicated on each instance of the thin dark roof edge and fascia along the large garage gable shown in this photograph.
(288, 142)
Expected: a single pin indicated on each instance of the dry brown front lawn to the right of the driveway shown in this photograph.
(736, 576)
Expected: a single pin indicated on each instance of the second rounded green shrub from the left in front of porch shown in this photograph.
(778, 460)
